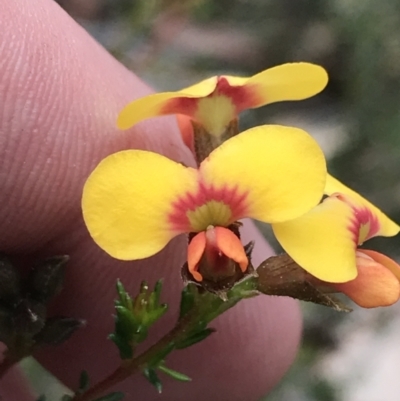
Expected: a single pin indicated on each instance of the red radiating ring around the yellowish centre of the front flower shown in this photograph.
(234, 198)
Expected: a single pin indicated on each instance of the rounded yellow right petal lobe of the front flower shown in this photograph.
(278, 171)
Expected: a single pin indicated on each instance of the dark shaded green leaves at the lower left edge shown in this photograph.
(24, 325)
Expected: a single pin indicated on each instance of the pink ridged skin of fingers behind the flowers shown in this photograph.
(60, 93)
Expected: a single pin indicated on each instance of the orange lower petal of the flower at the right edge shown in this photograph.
(375, 284)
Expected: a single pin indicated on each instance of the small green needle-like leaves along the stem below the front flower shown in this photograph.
(134, 316)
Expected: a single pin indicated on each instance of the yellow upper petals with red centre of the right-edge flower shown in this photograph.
(324, 241)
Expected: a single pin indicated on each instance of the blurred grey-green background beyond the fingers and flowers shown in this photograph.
(174, 43)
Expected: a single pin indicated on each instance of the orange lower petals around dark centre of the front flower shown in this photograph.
(213, 250)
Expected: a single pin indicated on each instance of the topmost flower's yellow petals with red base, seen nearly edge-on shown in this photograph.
(216, 101)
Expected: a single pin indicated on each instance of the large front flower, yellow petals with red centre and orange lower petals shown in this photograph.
(136, 201)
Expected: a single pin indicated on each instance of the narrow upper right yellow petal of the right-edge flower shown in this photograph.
(387, 227)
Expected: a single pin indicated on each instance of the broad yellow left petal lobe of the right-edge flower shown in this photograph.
(321, 241)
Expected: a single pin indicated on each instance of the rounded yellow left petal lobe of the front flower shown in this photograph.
(127, 199)
